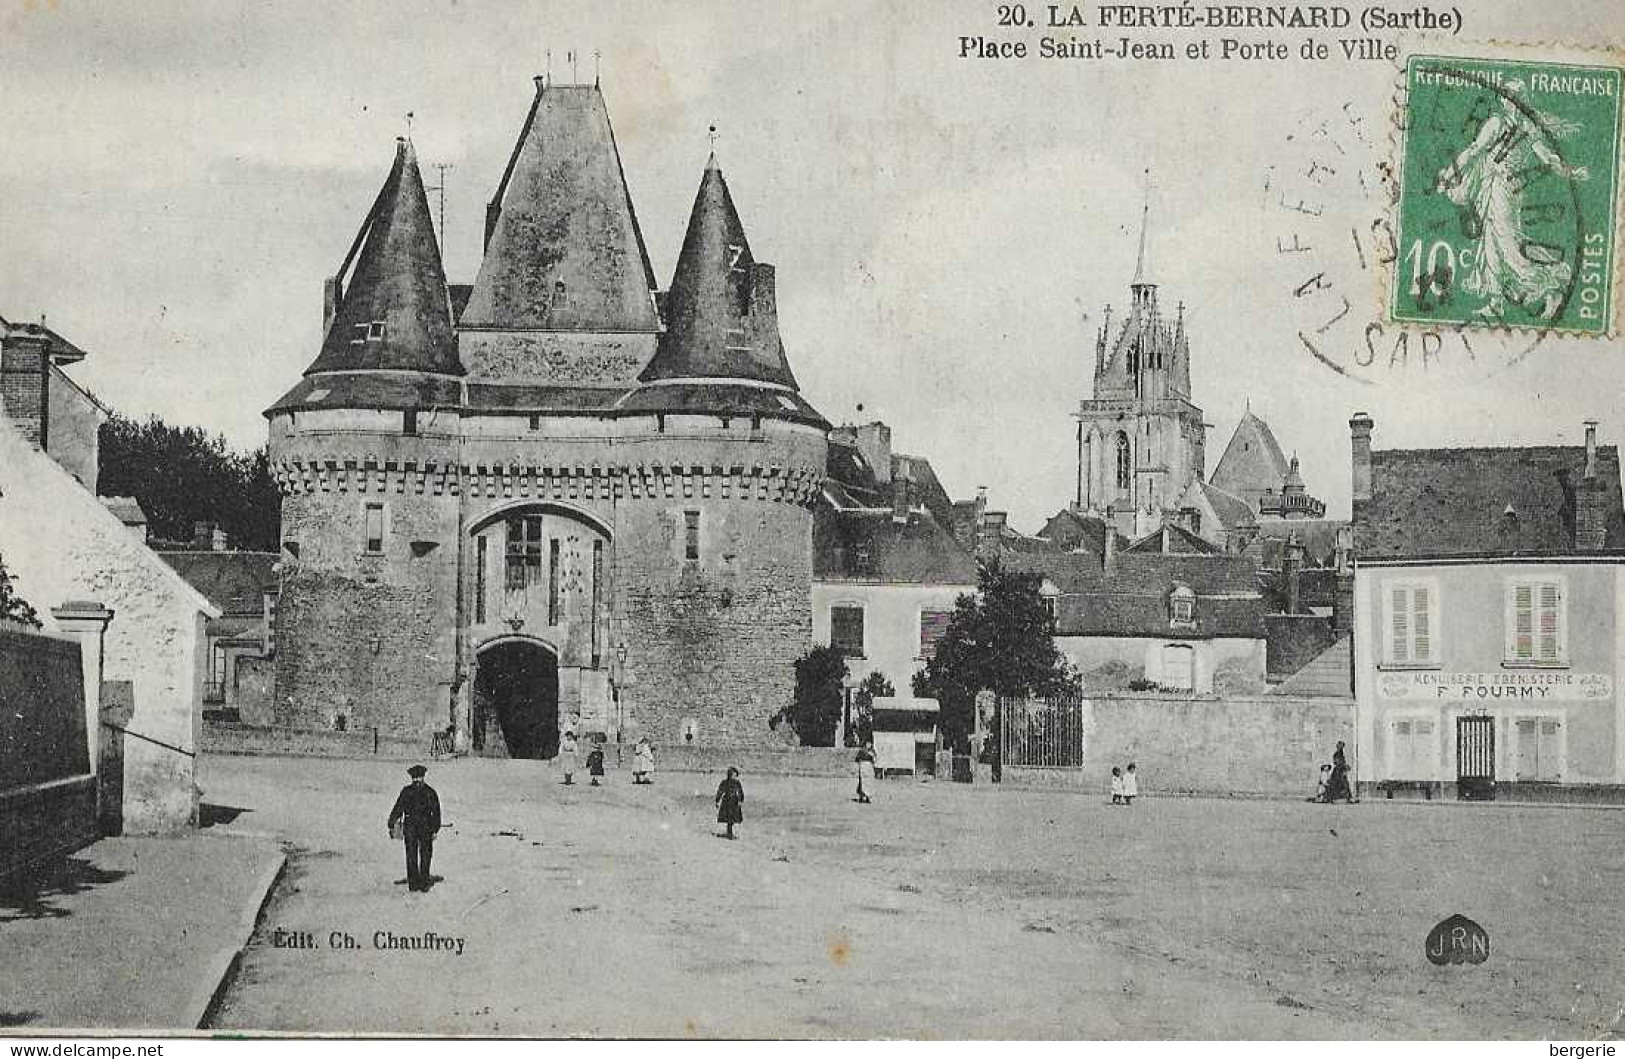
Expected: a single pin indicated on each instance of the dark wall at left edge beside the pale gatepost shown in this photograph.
(48, 795)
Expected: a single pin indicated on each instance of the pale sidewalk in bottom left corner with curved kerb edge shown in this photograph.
(131, 933)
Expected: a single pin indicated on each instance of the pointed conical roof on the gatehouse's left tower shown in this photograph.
(394, 313)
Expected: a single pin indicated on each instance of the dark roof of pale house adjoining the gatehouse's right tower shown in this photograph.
(867, 545)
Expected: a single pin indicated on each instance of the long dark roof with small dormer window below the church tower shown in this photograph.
(1132, 600)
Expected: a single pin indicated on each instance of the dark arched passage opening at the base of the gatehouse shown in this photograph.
(518, 701)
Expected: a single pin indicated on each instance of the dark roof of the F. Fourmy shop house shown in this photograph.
(1455, 501)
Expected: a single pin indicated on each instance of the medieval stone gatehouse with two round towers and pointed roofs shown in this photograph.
(561, 499)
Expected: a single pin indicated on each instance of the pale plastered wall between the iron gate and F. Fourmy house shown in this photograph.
(1263, 748)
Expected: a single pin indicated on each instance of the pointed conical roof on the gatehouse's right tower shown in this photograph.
(722, 316)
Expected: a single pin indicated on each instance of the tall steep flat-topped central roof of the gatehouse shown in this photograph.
(565, 253)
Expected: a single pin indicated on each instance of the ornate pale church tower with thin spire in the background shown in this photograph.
(1140, 438)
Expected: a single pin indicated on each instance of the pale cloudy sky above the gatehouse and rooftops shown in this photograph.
(181, 176)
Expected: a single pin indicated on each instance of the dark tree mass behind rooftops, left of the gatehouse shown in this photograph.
(184, 477)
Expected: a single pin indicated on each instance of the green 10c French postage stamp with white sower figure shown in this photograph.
(1509, 196)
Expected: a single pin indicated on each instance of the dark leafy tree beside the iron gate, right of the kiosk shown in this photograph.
(999, 641)
